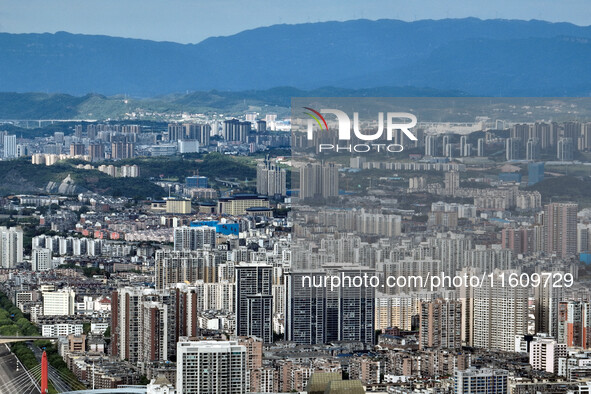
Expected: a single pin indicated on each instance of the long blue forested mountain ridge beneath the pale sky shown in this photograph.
(479, 57)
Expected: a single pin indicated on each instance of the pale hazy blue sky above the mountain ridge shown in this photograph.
(190, 21)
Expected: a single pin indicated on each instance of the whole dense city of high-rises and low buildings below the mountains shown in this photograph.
(391, 268)
